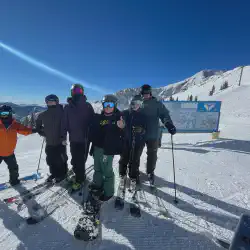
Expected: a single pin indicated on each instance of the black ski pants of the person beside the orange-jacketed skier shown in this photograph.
(56, 158)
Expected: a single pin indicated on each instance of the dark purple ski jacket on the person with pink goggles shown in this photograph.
(77, 119)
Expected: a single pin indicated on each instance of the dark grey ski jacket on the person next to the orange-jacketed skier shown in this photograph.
(48, 124)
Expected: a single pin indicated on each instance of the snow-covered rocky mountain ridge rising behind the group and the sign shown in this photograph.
(198, 85)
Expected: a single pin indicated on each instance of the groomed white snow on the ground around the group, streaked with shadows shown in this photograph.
(212, 189)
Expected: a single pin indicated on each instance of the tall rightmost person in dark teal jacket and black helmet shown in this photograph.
(154, 110)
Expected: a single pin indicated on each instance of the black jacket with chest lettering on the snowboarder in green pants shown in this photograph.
(106, 134)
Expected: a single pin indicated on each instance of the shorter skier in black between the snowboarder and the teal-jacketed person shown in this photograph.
(134, 143)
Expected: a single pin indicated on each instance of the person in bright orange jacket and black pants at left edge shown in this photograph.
(9, 128)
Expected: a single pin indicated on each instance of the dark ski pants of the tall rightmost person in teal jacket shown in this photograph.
(152, 148)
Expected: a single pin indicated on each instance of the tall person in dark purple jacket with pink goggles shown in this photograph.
(78, 116)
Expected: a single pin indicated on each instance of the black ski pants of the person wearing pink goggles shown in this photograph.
(79, 154)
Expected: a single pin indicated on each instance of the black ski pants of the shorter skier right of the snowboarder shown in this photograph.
(130, 158)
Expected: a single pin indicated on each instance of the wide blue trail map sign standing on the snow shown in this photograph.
(194, 117)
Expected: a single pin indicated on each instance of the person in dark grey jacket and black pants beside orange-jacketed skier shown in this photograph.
(48, 124)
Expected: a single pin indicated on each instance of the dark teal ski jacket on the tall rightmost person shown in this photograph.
(155, 110)
